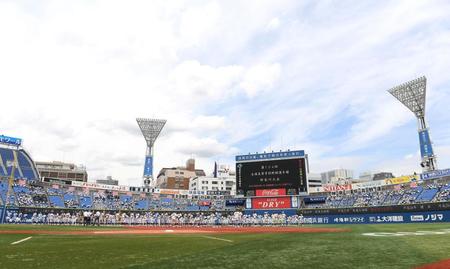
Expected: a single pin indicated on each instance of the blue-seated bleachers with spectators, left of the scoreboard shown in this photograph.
(39, 194)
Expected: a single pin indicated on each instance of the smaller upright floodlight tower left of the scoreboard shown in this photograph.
(150, 128)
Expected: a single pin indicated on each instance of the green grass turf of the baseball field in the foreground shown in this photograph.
(326, 250)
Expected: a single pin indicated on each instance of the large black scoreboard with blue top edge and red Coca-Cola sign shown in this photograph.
(271, 174)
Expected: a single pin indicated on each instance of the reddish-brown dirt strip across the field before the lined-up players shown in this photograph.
(138, 230)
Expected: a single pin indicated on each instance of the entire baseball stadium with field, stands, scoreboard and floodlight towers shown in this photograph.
(273, 220)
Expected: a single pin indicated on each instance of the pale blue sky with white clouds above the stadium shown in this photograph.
(230, 76)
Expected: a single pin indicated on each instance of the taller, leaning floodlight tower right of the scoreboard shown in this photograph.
(412, 94)
